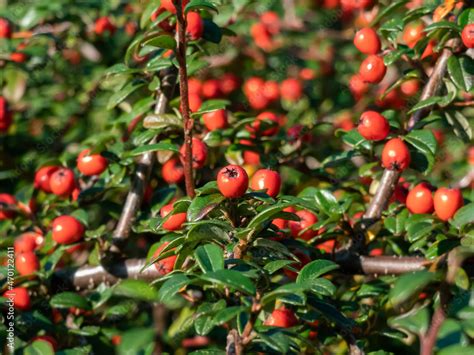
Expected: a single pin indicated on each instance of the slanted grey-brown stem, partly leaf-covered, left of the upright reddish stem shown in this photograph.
(144, 167)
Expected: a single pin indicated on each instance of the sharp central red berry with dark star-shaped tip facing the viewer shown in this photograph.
(232, 181)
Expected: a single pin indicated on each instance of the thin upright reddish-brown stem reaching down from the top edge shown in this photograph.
(183, 87)
